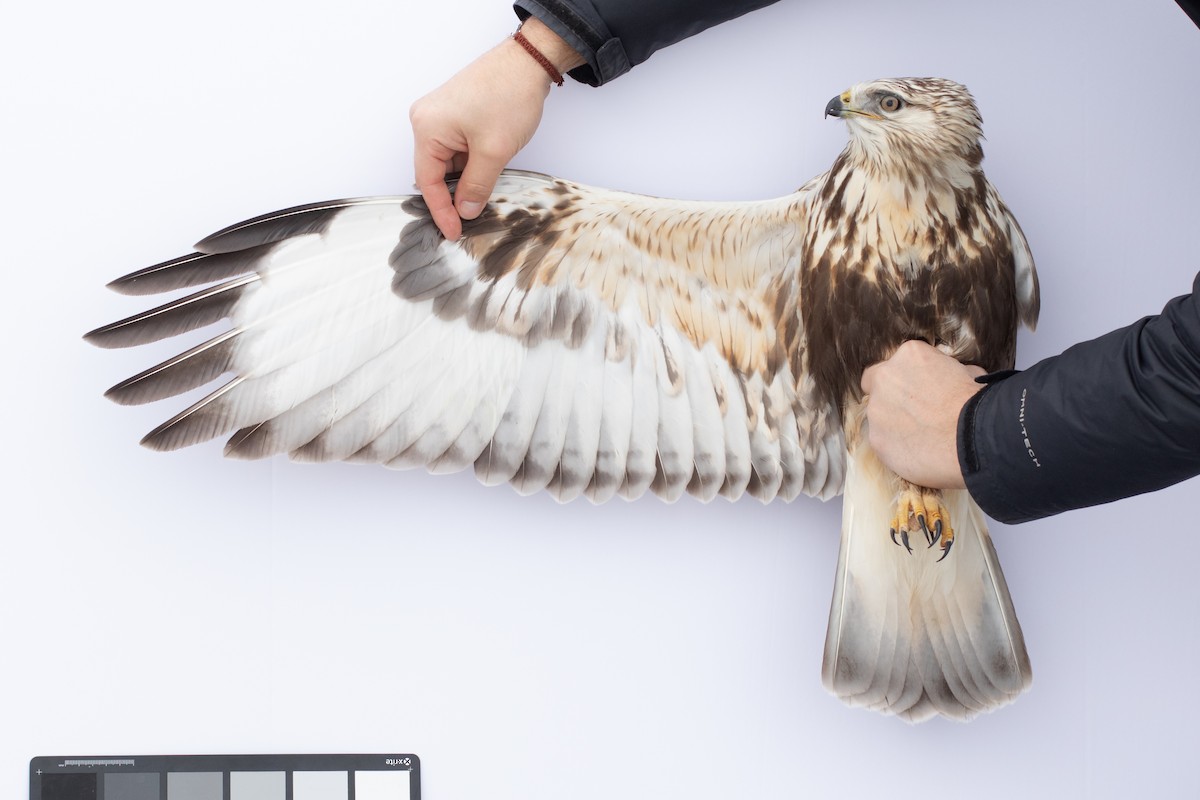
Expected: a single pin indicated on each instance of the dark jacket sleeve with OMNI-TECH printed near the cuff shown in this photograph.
(1108, 419)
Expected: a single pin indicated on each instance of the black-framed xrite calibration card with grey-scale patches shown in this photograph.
(226, 778)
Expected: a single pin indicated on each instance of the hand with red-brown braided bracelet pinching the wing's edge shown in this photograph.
(479, 121)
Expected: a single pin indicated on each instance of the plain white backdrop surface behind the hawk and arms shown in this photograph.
(188, 605)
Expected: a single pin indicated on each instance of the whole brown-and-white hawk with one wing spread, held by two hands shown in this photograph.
(591, 342)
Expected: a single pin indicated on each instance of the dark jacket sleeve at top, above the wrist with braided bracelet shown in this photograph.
(616, 35)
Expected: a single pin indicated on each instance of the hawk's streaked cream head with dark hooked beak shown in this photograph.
(904, 124)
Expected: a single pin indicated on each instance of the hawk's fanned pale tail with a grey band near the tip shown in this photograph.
(910, 635)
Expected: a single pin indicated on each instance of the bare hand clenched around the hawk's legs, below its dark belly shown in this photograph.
(914, 401)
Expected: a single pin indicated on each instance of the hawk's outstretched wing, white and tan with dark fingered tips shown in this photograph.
(577, 340)
